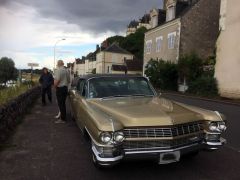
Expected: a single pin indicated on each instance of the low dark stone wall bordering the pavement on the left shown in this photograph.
(11, 112)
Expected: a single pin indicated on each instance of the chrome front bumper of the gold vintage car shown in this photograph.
(203, 145)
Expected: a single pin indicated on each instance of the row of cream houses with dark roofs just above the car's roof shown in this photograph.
(110, 60)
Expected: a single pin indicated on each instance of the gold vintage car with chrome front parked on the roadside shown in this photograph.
(124, 117)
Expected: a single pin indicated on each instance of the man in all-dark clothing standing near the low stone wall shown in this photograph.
(46, 81)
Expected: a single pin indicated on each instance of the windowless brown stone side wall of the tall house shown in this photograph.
(200, 28)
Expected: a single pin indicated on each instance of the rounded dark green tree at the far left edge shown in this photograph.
(7, 70)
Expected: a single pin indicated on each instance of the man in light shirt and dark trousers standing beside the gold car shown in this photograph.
(61, 81)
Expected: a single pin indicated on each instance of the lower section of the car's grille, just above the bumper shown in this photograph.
(129, 146)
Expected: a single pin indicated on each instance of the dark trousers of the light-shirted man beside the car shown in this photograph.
(61, 94)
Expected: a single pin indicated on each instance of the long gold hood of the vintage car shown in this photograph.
(149, 111)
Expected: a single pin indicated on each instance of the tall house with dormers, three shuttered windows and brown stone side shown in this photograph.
(188, 26)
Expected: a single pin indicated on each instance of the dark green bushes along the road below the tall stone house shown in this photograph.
(165, 75)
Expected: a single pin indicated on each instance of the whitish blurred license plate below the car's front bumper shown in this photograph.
(169, 157)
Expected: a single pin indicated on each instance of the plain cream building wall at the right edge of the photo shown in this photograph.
(227, 69)
